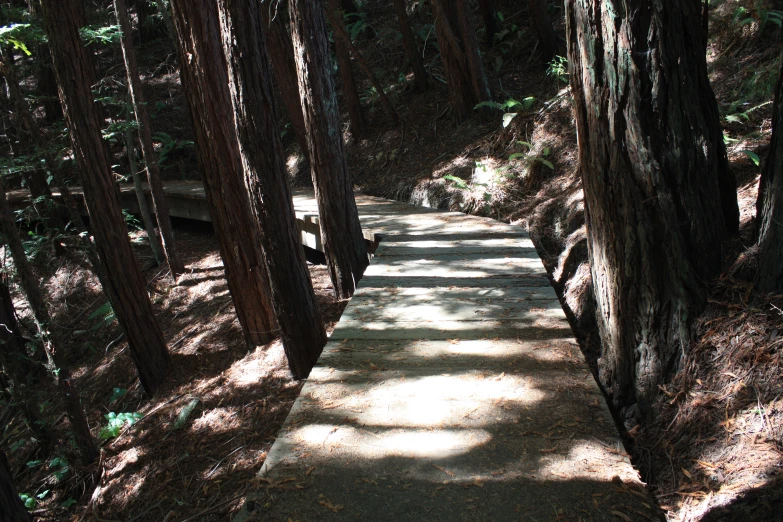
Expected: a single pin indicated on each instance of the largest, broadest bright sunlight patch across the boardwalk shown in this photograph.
(471, 399)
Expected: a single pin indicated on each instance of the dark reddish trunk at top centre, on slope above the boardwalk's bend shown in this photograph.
(465, 77)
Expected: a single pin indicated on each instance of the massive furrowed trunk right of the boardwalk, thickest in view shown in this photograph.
(654, 171)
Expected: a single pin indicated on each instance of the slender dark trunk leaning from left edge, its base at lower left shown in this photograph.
(52, 344)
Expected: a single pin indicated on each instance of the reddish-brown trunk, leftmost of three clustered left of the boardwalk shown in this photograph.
(205, 82)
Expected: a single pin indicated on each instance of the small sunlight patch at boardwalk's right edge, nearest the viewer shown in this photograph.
(590, 460)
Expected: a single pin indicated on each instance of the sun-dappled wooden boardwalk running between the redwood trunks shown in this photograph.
(451, 389)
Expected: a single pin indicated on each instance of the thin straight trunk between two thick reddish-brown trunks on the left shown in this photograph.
(145, 134)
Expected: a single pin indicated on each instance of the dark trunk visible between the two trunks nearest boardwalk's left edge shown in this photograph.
(281, 52)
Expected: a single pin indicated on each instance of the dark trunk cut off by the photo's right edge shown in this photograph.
(769, 207)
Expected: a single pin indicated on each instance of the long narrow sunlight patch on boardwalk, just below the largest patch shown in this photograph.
(333, 441)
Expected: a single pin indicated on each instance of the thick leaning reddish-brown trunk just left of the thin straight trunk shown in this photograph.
(124, 284)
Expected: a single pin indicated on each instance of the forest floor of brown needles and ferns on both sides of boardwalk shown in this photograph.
(715, 451)
